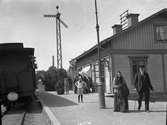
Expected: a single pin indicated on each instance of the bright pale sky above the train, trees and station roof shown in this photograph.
(23, 21)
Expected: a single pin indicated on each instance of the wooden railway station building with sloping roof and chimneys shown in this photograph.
(142, 43)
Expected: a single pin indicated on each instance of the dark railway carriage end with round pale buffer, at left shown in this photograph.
(17, 72)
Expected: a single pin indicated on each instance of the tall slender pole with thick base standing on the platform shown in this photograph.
(99, 84)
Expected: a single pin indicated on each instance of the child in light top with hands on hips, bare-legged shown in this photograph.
(80, 86)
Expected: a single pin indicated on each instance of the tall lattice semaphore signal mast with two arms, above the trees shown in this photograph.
(58, 36)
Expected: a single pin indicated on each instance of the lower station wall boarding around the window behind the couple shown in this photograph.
(154, 67)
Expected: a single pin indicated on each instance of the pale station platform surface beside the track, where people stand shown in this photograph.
(69, 112)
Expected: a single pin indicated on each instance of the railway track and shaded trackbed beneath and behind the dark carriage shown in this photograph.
(29, 114)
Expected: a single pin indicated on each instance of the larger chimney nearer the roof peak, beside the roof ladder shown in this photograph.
(132, 19)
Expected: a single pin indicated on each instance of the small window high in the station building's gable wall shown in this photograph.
(161, 33)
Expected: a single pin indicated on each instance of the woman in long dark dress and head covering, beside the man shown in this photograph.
(121, 103)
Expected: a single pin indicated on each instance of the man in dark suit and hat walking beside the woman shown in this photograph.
(143, 86)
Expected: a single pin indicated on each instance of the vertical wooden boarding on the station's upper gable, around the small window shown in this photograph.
(141, 37)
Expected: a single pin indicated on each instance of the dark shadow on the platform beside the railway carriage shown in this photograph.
(52, 100)
